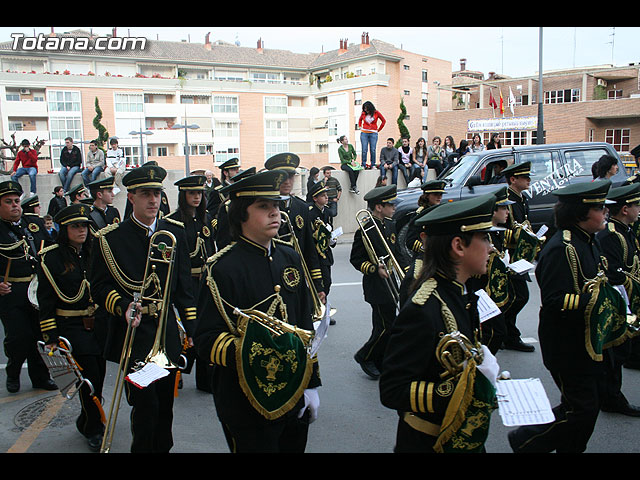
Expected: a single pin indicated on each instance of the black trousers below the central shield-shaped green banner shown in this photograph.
(284, 435)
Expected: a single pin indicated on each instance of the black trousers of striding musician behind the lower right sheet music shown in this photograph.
(575, 417)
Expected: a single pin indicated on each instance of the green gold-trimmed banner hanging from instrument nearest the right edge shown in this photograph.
(605, 318)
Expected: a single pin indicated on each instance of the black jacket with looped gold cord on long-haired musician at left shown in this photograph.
(61, 279)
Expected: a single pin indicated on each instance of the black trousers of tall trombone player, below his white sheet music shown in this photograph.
(152, 415)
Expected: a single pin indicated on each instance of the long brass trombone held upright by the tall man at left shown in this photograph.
(160, 256)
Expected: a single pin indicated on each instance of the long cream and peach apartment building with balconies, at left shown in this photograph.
(213, 100)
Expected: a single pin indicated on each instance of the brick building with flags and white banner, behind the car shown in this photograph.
(599, 103)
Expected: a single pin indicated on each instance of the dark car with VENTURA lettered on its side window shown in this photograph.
(552, 166)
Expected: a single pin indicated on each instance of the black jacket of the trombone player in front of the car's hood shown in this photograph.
(374, 287)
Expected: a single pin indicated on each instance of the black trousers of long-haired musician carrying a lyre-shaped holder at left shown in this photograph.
(89, 422)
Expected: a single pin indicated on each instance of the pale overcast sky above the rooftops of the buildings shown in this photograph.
(512, 51)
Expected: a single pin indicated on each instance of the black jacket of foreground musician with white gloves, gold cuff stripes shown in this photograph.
(410, 380)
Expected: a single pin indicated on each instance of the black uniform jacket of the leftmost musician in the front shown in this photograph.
(22, 266)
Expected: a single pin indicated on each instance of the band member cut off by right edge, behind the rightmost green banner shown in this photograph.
(620, 248)
